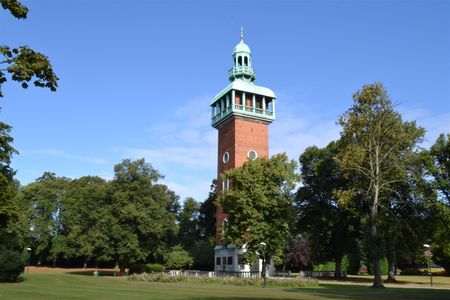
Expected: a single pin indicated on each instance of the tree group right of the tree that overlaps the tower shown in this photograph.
(374, 195)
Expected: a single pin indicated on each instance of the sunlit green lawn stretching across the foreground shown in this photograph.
(69, 286)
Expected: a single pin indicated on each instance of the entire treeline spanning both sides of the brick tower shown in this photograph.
(373, 195)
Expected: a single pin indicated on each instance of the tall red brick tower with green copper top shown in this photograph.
(241, 113)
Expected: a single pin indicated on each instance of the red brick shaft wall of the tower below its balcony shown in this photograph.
(237, 137)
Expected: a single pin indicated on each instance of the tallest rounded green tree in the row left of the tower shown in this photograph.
(142, 219)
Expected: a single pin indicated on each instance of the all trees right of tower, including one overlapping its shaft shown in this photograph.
(374, 195)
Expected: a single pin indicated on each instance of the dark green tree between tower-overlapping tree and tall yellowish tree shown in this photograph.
(331, 228)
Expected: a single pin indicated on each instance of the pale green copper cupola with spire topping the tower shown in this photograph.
(242, 62)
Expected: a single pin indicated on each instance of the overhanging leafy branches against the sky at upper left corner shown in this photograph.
(22, 63)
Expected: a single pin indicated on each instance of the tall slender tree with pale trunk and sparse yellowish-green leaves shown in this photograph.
(377, 144)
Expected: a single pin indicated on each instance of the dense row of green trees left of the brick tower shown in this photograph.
(131, 219)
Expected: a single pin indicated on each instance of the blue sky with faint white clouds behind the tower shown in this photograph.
(137, 77)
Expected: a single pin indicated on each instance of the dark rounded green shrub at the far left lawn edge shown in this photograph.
(12, 263)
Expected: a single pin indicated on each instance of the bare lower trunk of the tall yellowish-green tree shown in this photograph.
(377, 280)
